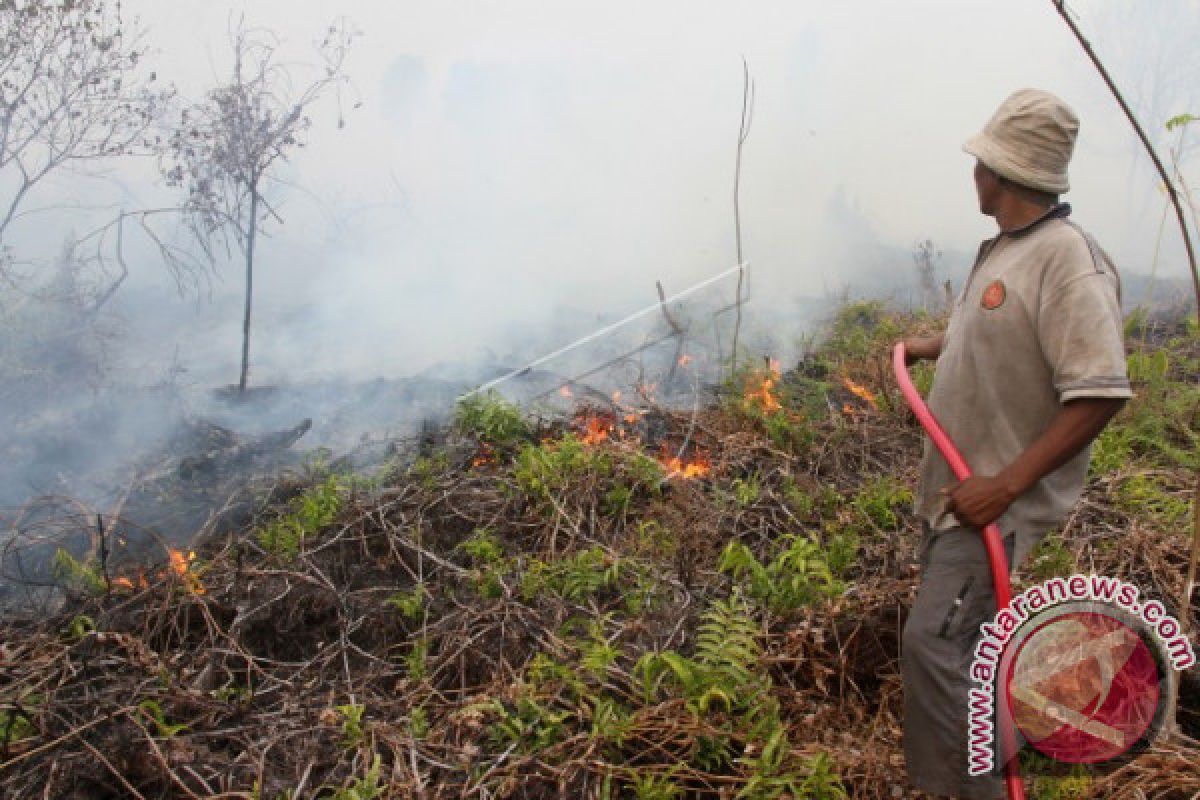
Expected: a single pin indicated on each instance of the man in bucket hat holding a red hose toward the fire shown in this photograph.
(1030, 370)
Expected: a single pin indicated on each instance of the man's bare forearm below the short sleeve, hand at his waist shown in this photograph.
(981, 501)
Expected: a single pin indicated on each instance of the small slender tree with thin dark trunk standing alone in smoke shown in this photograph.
(227, 146)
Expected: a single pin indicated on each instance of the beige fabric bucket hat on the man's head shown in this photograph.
(1029, 141)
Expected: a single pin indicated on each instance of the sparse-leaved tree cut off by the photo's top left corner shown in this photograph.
(71, 92)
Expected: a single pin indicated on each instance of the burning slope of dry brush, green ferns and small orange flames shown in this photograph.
(627, 603)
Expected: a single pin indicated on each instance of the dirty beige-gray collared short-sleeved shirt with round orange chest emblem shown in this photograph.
(1037, 324)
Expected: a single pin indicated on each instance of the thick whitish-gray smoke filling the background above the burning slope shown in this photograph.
(521, 175)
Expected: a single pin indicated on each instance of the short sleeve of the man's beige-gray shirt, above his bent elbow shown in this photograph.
(1083, 336)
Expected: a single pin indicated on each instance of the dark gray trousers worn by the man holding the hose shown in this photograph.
(937, 649)
